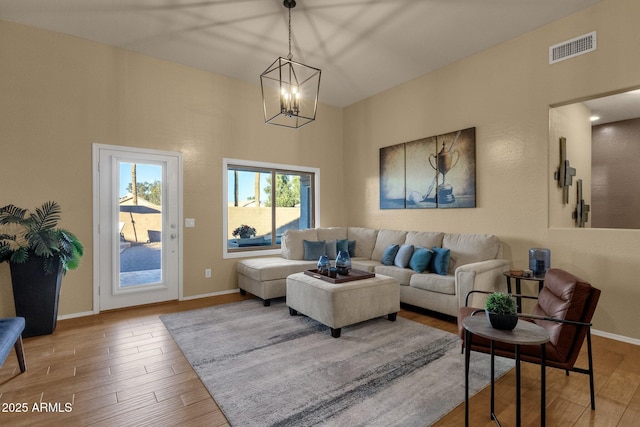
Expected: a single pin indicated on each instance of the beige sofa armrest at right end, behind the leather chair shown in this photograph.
(484, 275)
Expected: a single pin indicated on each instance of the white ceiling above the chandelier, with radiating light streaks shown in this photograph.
(362, 46)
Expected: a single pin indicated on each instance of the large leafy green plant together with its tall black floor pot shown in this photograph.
(39, 253)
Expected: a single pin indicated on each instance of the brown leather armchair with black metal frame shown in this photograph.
(565, 308)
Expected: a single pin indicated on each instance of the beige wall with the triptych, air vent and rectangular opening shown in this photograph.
(505, 92)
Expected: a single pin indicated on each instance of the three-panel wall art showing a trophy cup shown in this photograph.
(434, 172)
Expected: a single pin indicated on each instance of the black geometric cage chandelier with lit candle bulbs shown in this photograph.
(290, 89)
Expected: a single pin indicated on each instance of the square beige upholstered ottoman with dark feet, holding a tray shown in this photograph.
(341, 304)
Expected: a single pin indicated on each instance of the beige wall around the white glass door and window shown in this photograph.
(60, 94)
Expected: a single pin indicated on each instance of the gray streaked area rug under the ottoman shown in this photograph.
(266, 368)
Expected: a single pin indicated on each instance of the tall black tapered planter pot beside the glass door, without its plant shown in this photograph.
(36, 296)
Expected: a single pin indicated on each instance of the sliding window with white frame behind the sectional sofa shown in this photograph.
(262, 201)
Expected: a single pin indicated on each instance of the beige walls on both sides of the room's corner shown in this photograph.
(60, 94)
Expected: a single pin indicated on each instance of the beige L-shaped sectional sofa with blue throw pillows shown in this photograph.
(470, 261)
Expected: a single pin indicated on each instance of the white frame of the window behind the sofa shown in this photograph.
(272, 167)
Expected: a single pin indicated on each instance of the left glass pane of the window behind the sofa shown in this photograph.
(249, 213)
